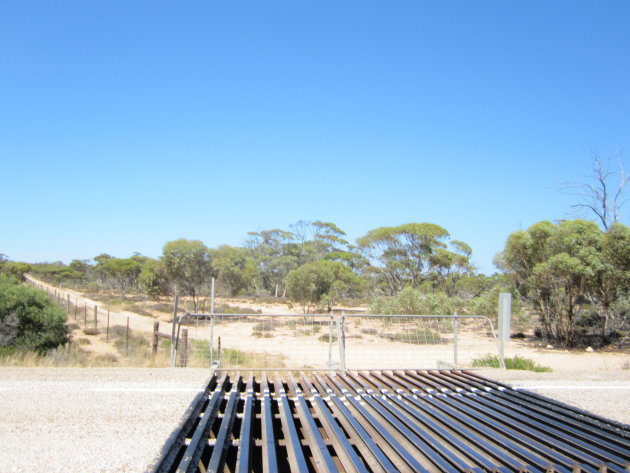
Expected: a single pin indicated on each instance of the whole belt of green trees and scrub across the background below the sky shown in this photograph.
(569, 280)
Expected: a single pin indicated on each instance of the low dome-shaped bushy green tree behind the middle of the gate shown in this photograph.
(322, 283)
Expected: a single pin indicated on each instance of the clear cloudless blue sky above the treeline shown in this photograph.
(127, 124)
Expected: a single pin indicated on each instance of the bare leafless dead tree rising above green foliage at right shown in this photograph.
(603, 194)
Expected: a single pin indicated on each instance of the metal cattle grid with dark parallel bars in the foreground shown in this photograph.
(385, 421)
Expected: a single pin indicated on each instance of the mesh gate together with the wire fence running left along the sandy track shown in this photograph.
(286, 341)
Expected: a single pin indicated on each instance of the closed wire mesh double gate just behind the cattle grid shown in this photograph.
(324, 341)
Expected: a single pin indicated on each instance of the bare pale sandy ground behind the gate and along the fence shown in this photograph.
(365, 351)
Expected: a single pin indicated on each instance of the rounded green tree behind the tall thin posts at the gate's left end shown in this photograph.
(187, 266)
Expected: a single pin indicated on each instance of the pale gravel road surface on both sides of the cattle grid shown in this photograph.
(118, 419)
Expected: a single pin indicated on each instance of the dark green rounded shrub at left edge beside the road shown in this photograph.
(28, 319)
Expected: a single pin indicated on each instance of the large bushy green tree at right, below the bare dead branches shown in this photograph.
(568, 270)
